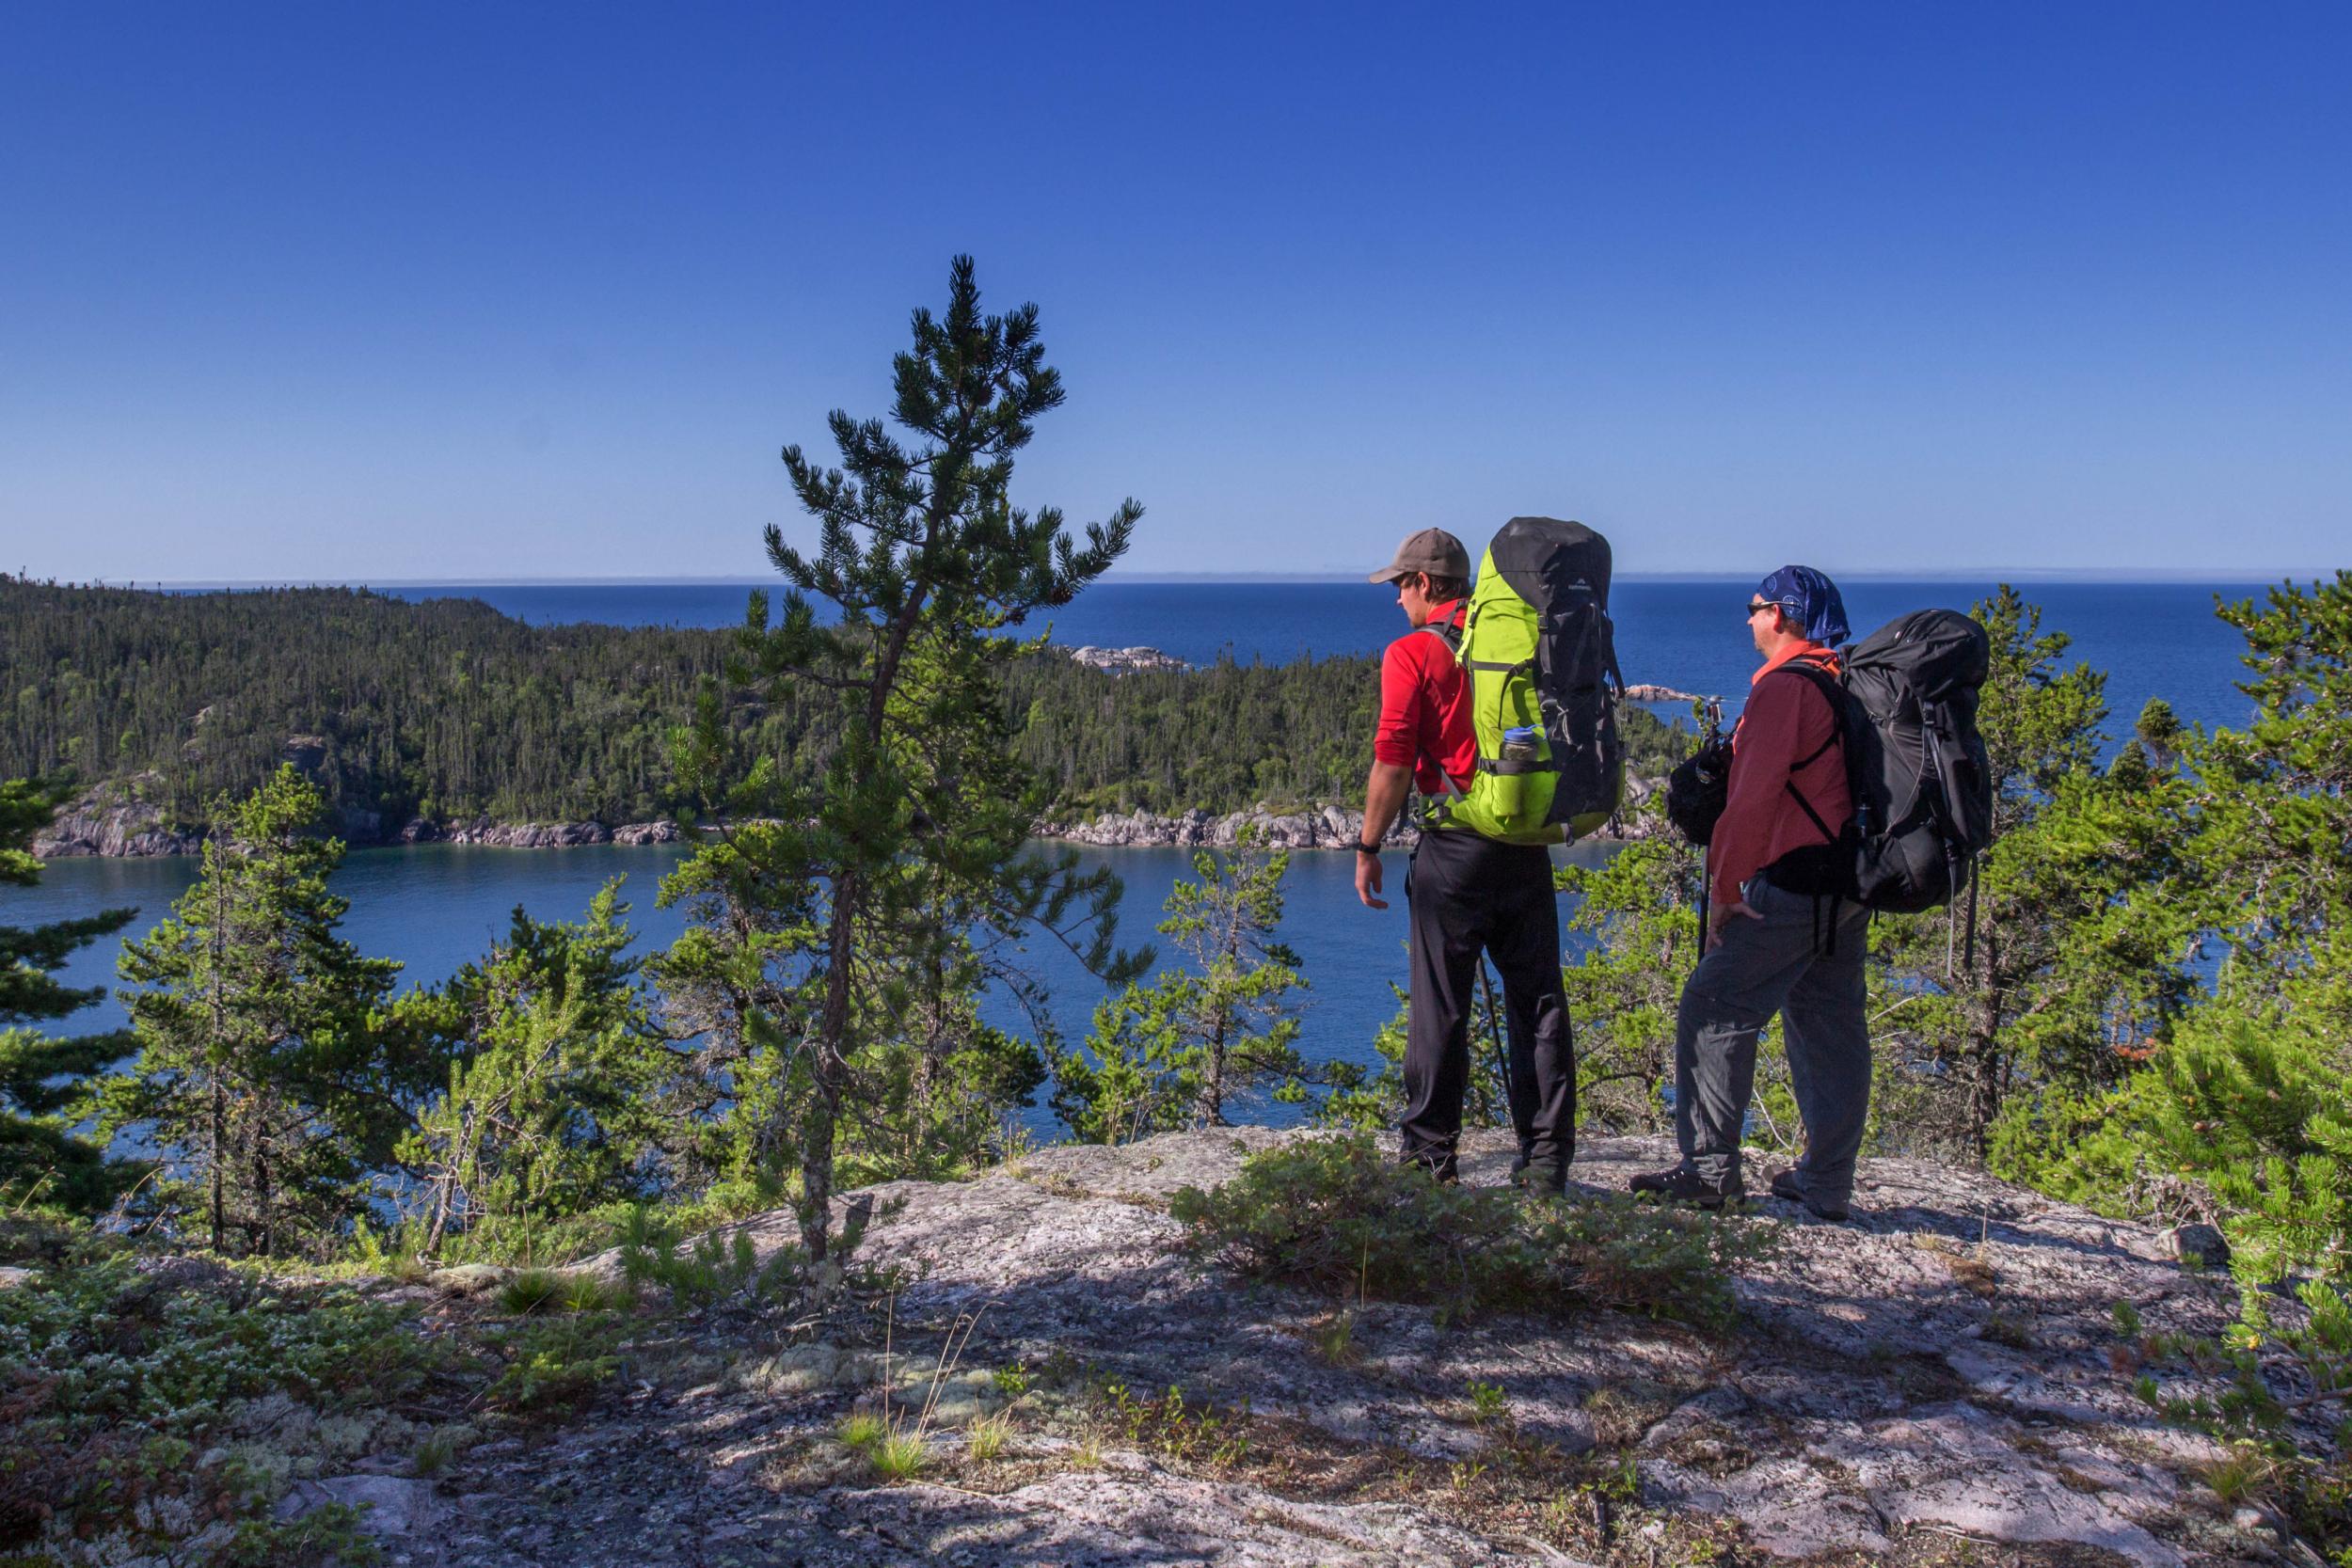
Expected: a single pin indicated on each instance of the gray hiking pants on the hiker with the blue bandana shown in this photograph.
(1808, 967)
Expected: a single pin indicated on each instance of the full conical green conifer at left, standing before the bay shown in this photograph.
(262, 1068)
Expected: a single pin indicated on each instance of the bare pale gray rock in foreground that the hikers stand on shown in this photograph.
(1937, 1383)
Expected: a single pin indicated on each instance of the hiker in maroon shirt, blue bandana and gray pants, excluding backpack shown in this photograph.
(1782, 934)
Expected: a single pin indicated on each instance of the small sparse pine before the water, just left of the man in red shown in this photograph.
(1180, 1050)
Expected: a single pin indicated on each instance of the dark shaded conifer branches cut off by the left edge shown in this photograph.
(46, 1078)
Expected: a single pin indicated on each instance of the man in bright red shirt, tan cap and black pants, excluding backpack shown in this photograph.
(1464, 894)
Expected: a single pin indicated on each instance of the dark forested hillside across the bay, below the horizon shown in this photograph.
(453, 711)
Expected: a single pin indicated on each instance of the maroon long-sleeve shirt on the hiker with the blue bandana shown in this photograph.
(1784, 721)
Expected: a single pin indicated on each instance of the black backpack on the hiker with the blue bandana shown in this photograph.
(1916, 765)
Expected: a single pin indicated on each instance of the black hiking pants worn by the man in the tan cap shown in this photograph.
(1466, 897)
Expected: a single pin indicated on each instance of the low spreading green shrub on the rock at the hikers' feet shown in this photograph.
(1339, 1219)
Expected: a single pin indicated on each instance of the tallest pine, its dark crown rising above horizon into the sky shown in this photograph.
(914, 829)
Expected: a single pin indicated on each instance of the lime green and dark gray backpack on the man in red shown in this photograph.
(1542, 662)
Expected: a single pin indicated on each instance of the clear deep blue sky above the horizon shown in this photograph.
(408, 293)
